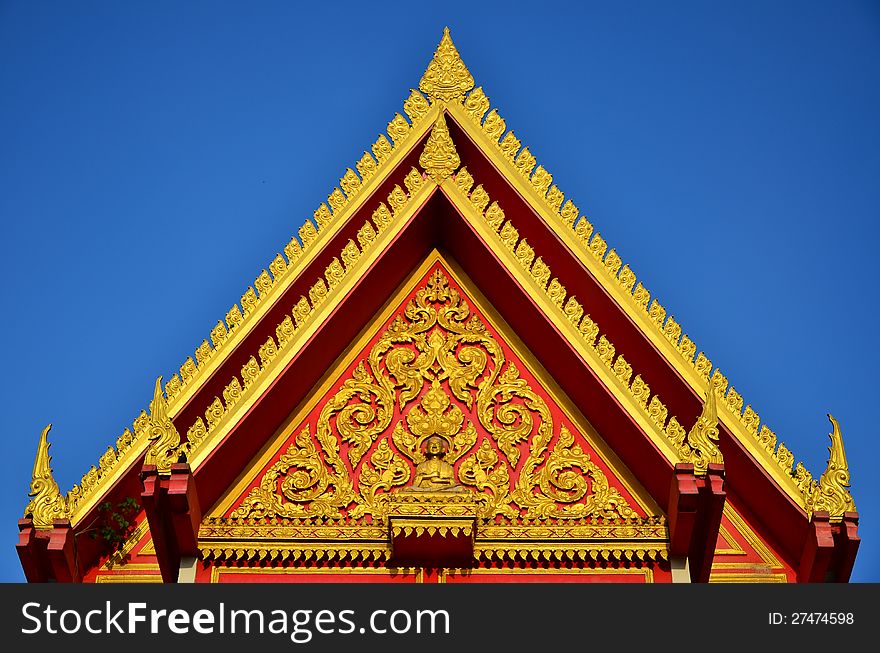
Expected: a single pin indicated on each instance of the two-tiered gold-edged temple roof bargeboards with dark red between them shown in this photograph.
(450, 119)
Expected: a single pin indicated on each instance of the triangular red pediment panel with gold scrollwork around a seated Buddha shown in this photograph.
(437, 380)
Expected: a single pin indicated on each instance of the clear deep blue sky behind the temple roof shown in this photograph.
(155, 156)
